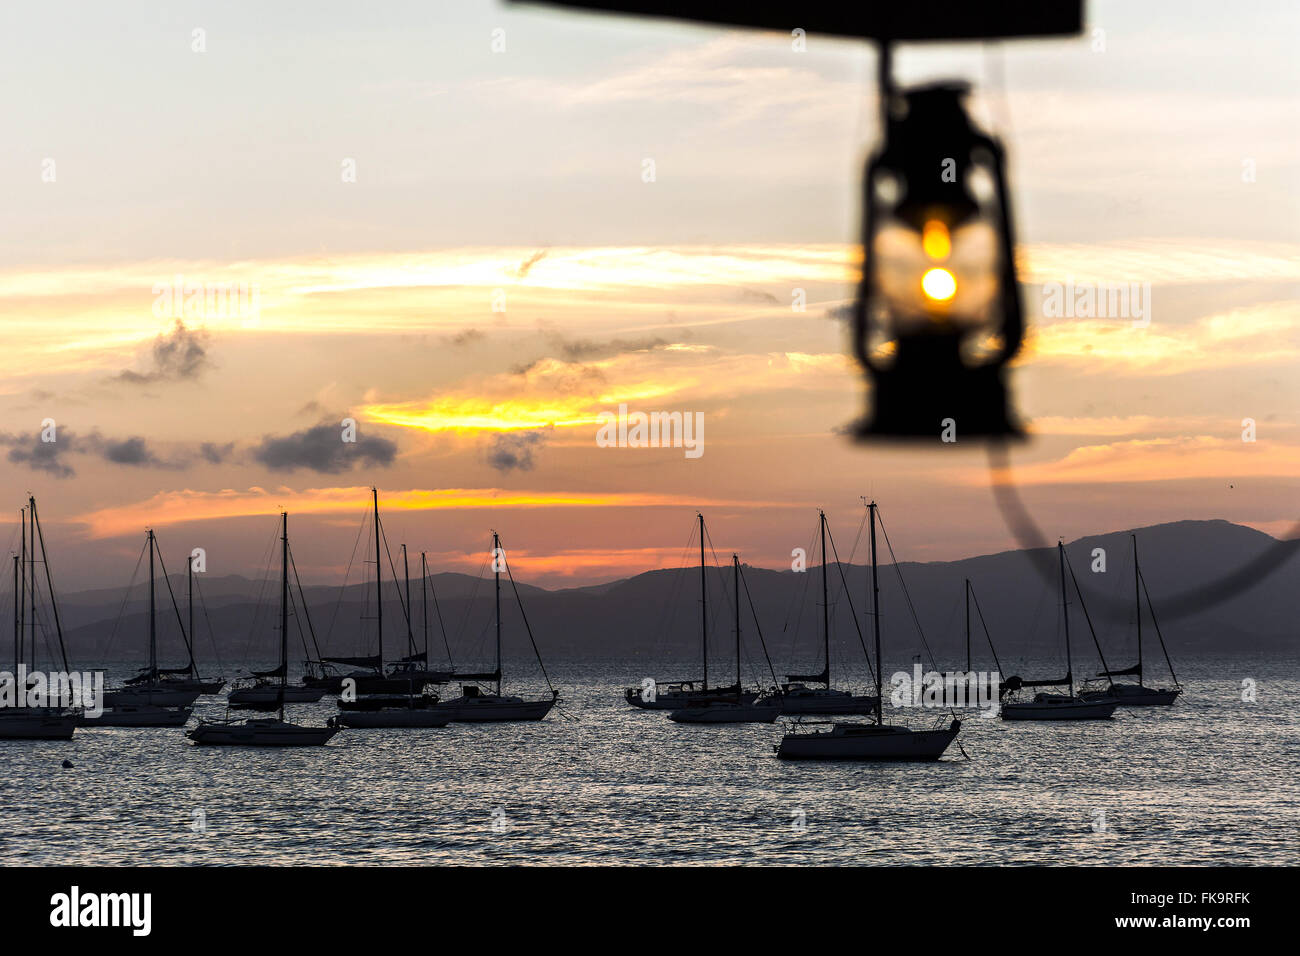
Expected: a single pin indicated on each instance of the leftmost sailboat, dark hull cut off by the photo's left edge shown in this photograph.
(23, 723)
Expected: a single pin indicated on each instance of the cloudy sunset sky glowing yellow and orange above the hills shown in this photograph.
(500, 274)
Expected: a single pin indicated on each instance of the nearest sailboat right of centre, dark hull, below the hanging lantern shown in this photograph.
(869, 741)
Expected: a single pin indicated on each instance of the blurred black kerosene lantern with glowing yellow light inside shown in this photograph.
(939, 313)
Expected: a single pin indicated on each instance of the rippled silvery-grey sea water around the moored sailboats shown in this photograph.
(1210, 781)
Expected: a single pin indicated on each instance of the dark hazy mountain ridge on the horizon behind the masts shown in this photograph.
(656, 616)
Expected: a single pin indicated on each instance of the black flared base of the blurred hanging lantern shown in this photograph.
(920, 399)
